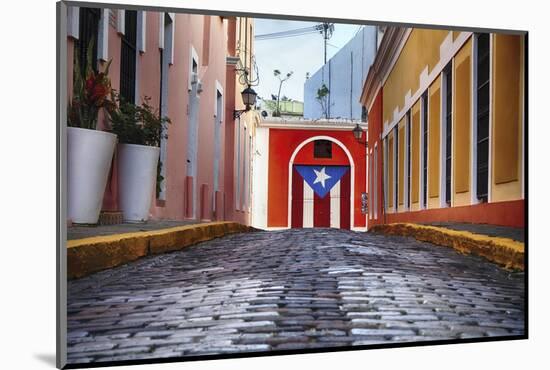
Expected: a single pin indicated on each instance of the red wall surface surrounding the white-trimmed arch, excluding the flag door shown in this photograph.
(282, 143)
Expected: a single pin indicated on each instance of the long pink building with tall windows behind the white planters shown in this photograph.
(186, 64)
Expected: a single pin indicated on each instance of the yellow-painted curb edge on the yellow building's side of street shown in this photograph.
(503, 251)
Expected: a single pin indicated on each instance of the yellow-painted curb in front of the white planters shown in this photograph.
(88, 255)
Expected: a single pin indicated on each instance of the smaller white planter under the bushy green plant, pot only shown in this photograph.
(137, 173)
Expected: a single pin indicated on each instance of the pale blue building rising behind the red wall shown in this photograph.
(344, 75)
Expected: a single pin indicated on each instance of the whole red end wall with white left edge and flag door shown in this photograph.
(308, 174)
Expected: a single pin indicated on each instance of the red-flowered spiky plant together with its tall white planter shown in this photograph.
(89, 151)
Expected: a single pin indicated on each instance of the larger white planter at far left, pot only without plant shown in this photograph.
(89, 157)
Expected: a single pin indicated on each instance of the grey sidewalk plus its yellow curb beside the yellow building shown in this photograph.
(499, 244)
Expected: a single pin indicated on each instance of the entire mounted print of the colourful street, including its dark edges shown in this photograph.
(237, 184)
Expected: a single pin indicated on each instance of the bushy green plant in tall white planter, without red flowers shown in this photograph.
(140, 129)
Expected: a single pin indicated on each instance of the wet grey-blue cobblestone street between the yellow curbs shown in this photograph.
(291, 289)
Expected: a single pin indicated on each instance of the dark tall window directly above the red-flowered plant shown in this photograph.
(88, 30)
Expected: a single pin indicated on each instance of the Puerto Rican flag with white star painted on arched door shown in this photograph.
(321, 196)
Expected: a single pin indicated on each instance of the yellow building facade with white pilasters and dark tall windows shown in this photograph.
(446, 118)
